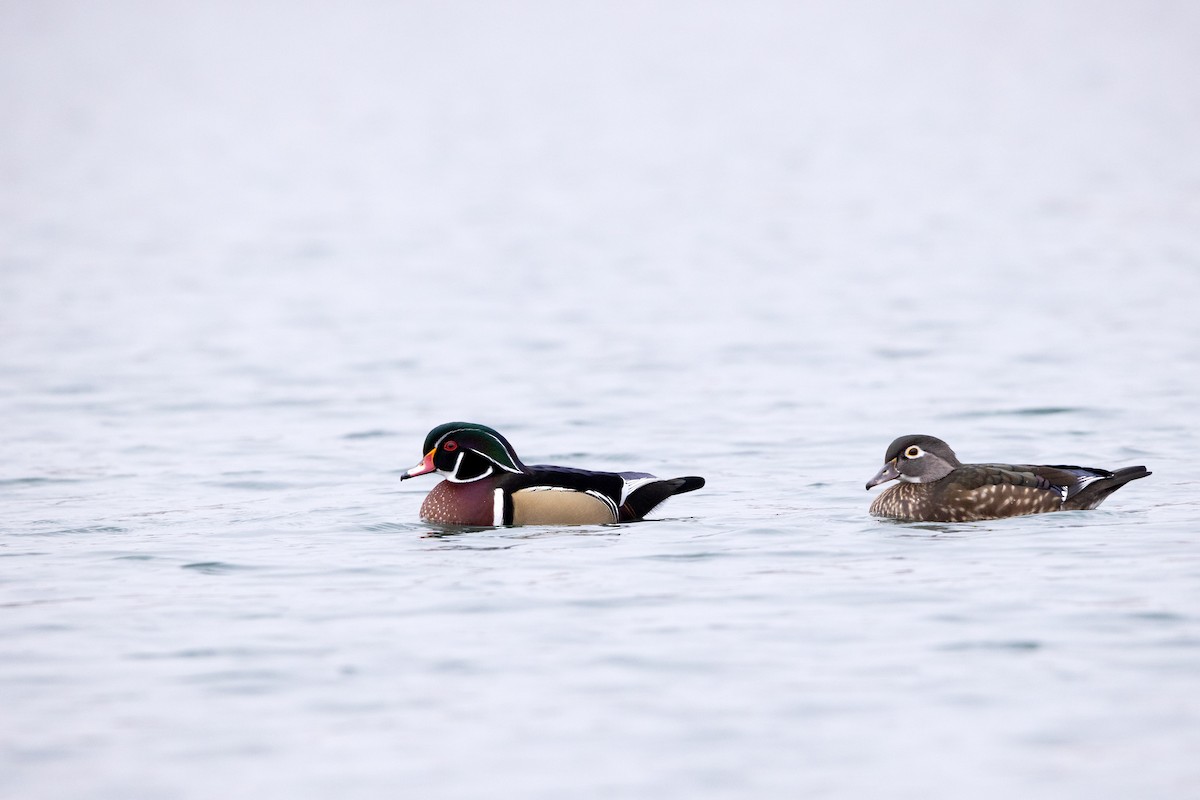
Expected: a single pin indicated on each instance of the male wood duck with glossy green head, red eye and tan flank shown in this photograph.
(488, 485)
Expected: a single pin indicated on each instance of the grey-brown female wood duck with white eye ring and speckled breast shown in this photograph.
(935, 486)
